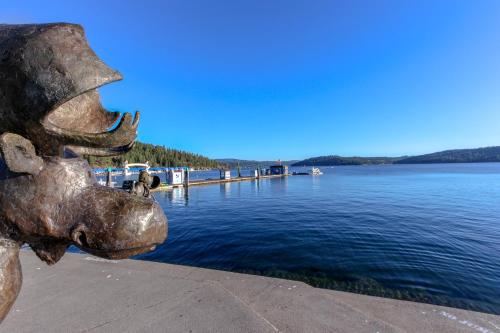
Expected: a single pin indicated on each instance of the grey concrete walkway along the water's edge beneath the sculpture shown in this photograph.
(85, 294)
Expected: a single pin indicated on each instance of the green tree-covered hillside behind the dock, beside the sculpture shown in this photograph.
(157, 156)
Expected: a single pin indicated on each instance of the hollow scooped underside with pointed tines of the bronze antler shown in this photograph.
(85, 127)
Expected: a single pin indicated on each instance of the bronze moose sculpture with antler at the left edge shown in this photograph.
(50, 113)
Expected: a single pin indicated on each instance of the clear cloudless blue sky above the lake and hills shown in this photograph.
(294, 79)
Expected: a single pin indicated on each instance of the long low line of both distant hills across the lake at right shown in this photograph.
(487, 154)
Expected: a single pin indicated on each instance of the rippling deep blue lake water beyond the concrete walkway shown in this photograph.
(421, 232)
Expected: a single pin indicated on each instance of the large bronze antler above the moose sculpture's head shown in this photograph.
(48, 81)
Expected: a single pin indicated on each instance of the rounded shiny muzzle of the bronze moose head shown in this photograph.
(119, 224)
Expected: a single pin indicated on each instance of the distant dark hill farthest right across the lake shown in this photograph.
(487, 154)
